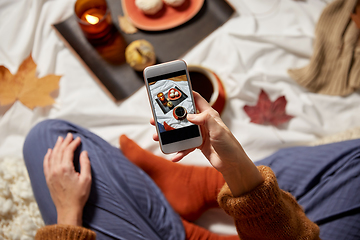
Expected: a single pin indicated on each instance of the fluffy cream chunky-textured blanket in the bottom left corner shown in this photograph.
(19, 214)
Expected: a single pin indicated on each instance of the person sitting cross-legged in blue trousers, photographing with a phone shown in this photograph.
(116, 199)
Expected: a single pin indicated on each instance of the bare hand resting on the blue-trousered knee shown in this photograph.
(69, 189)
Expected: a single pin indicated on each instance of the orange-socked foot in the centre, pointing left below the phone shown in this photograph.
(190, 190)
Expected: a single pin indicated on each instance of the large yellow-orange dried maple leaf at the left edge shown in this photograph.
(26, 87)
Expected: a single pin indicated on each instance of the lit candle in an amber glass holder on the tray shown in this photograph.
(94, 19)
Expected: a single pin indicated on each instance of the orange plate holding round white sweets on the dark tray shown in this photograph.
(168, 17)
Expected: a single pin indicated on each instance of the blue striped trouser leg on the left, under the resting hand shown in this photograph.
(124, 202)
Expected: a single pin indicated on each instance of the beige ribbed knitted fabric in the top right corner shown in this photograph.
(334, 67)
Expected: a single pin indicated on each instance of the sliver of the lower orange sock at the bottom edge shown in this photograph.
(194, 232)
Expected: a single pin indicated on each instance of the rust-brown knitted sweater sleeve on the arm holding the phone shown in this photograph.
(267, 212)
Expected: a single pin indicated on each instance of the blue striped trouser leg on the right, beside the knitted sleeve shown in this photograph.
(325, 180)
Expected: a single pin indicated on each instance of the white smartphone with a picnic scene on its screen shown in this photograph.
(171, 99)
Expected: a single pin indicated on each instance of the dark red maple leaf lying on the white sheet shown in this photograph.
(267, 112)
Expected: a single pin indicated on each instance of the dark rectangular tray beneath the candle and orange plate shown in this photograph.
(121, 81)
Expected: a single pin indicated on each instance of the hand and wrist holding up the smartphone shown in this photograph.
(222, 149)
